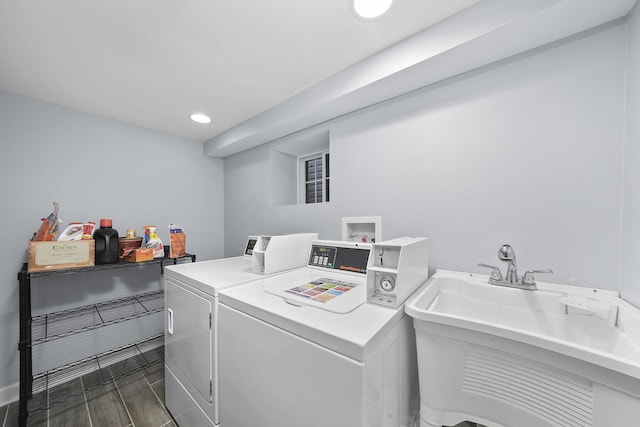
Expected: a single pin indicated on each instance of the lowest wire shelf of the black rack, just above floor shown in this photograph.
(56, 386)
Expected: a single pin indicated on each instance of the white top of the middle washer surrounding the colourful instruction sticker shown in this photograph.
(354, 333)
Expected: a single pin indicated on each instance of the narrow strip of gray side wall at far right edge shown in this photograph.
(630, 284)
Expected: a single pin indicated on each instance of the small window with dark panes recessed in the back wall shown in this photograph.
(314, 182)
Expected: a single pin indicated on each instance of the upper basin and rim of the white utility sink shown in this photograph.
(535, 316)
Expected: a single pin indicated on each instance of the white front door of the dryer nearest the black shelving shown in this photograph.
(188, 335)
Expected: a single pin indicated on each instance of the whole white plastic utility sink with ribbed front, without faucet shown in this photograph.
(500, 356)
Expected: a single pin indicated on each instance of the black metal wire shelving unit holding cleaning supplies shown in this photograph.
(107, 366)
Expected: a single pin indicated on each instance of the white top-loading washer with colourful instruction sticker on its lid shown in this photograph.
(305, 348)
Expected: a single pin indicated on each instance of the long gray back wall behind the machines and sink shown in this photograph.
(528, 151)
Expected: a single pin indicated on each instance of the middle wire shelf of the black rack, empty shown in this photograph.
(51, 326)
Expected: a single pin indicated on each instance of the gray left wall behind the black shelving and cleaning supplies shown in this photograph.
(95, 168)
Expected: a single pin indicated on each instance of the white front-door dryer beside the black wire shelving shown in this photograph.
(192, 322)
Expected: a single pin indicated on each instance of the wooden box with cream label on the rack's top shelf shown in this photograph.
(50, 256)
